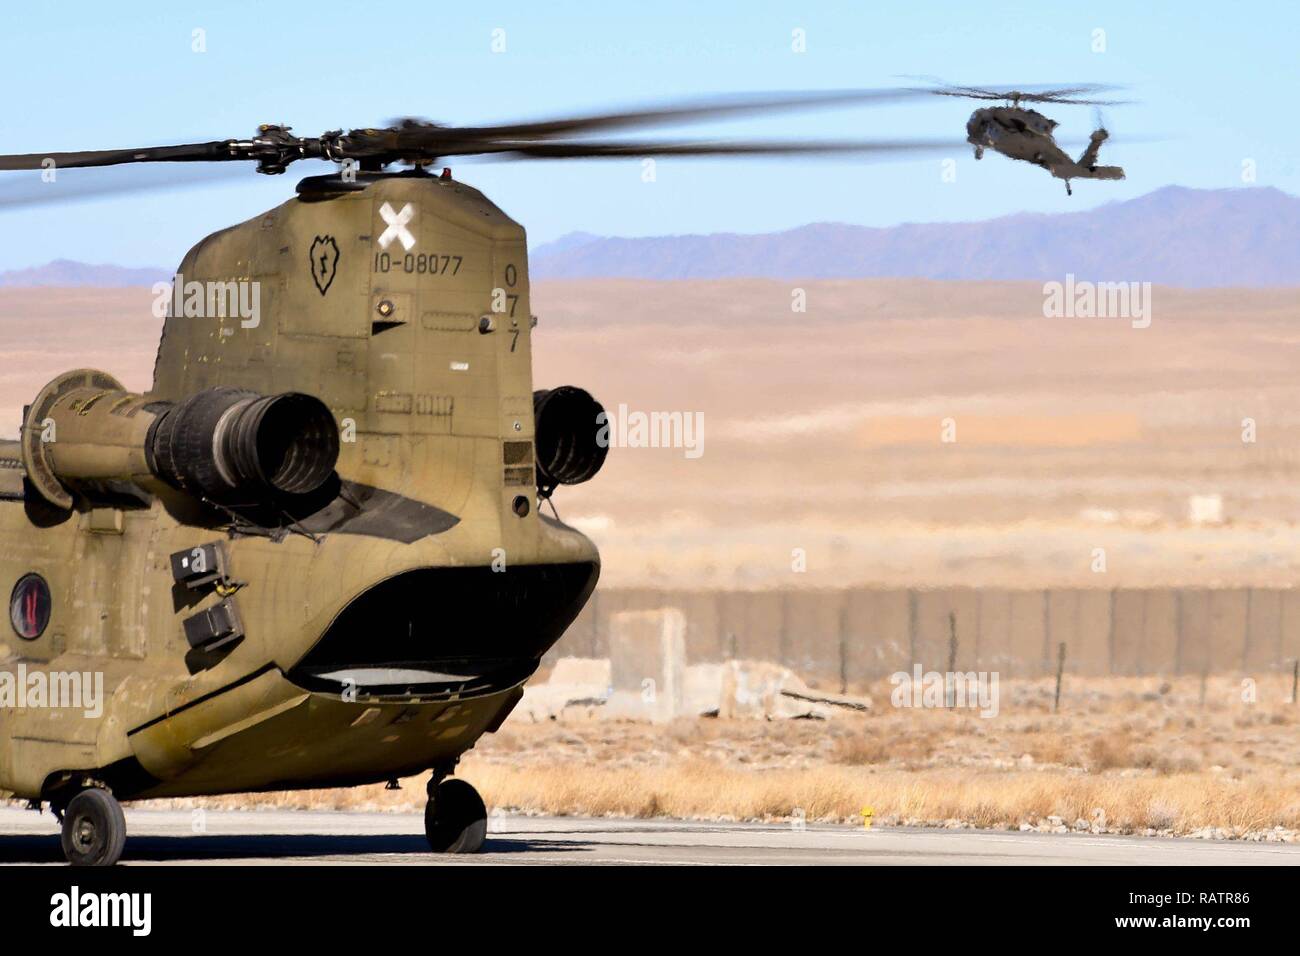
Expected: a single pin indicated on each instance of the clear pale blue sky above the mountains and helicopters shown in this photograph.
(1216, 85)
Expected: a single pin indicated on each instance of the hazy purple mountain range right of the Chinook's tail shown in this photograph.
(1175, 236)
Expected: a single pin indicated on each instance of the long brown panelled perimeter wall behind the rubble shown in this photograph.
(851, 637)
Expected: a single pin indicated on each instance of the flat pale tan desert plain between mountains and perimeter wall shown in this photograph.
(825, 430)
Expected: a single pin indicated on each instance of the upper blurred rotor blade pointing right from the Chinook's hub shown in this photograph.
(690, 111)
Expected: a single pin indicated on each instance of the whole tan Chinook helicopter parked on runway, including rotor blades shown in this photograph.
(313, 553)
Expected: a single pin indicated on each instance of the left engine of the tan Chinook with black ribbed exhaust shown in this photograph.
(228, 445)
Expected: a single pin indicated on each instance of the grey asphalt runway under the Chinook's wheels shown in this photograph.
(294, 837)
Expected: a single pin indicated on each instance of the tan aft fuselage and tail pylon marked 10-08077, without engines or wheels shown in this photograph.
(379, 637)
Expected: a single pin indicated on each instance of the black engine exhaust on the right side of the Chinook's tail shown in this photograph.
(567, 426)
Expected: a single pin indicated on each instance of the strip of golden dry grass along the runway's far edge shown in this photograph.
(703, 790)
